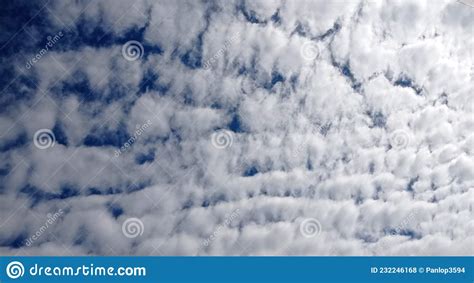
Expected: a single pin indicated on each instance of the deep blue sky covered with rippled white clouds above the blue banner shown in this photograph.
(266, 127)
